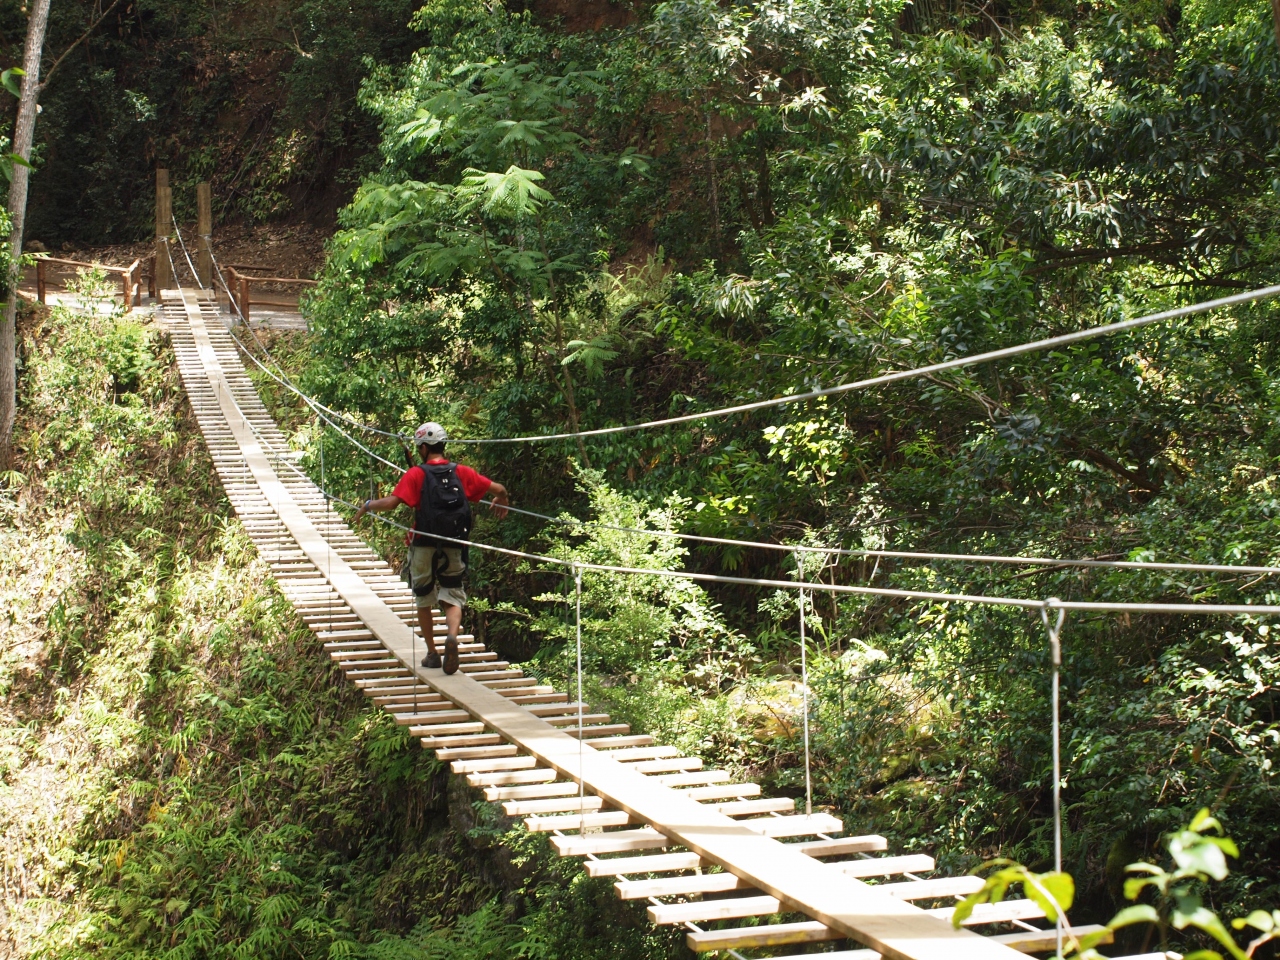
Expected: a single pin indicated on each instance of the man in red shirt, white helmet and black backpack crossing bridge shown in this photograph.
(441, 495)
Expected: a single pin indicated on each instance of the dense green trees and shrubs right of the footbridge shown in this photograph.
(820, 193)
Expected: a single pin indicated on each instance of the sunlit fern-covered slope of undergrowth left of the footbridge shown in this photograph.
(181, 772)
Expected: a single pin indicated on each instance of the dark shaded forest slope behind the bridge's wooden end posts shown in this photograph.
(258, 98)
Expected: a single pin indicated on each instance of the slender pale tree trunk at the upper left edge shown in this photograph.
(24, 136)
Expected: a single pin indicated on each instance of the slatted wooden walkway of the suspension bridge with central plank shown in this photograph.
(692, 844)
